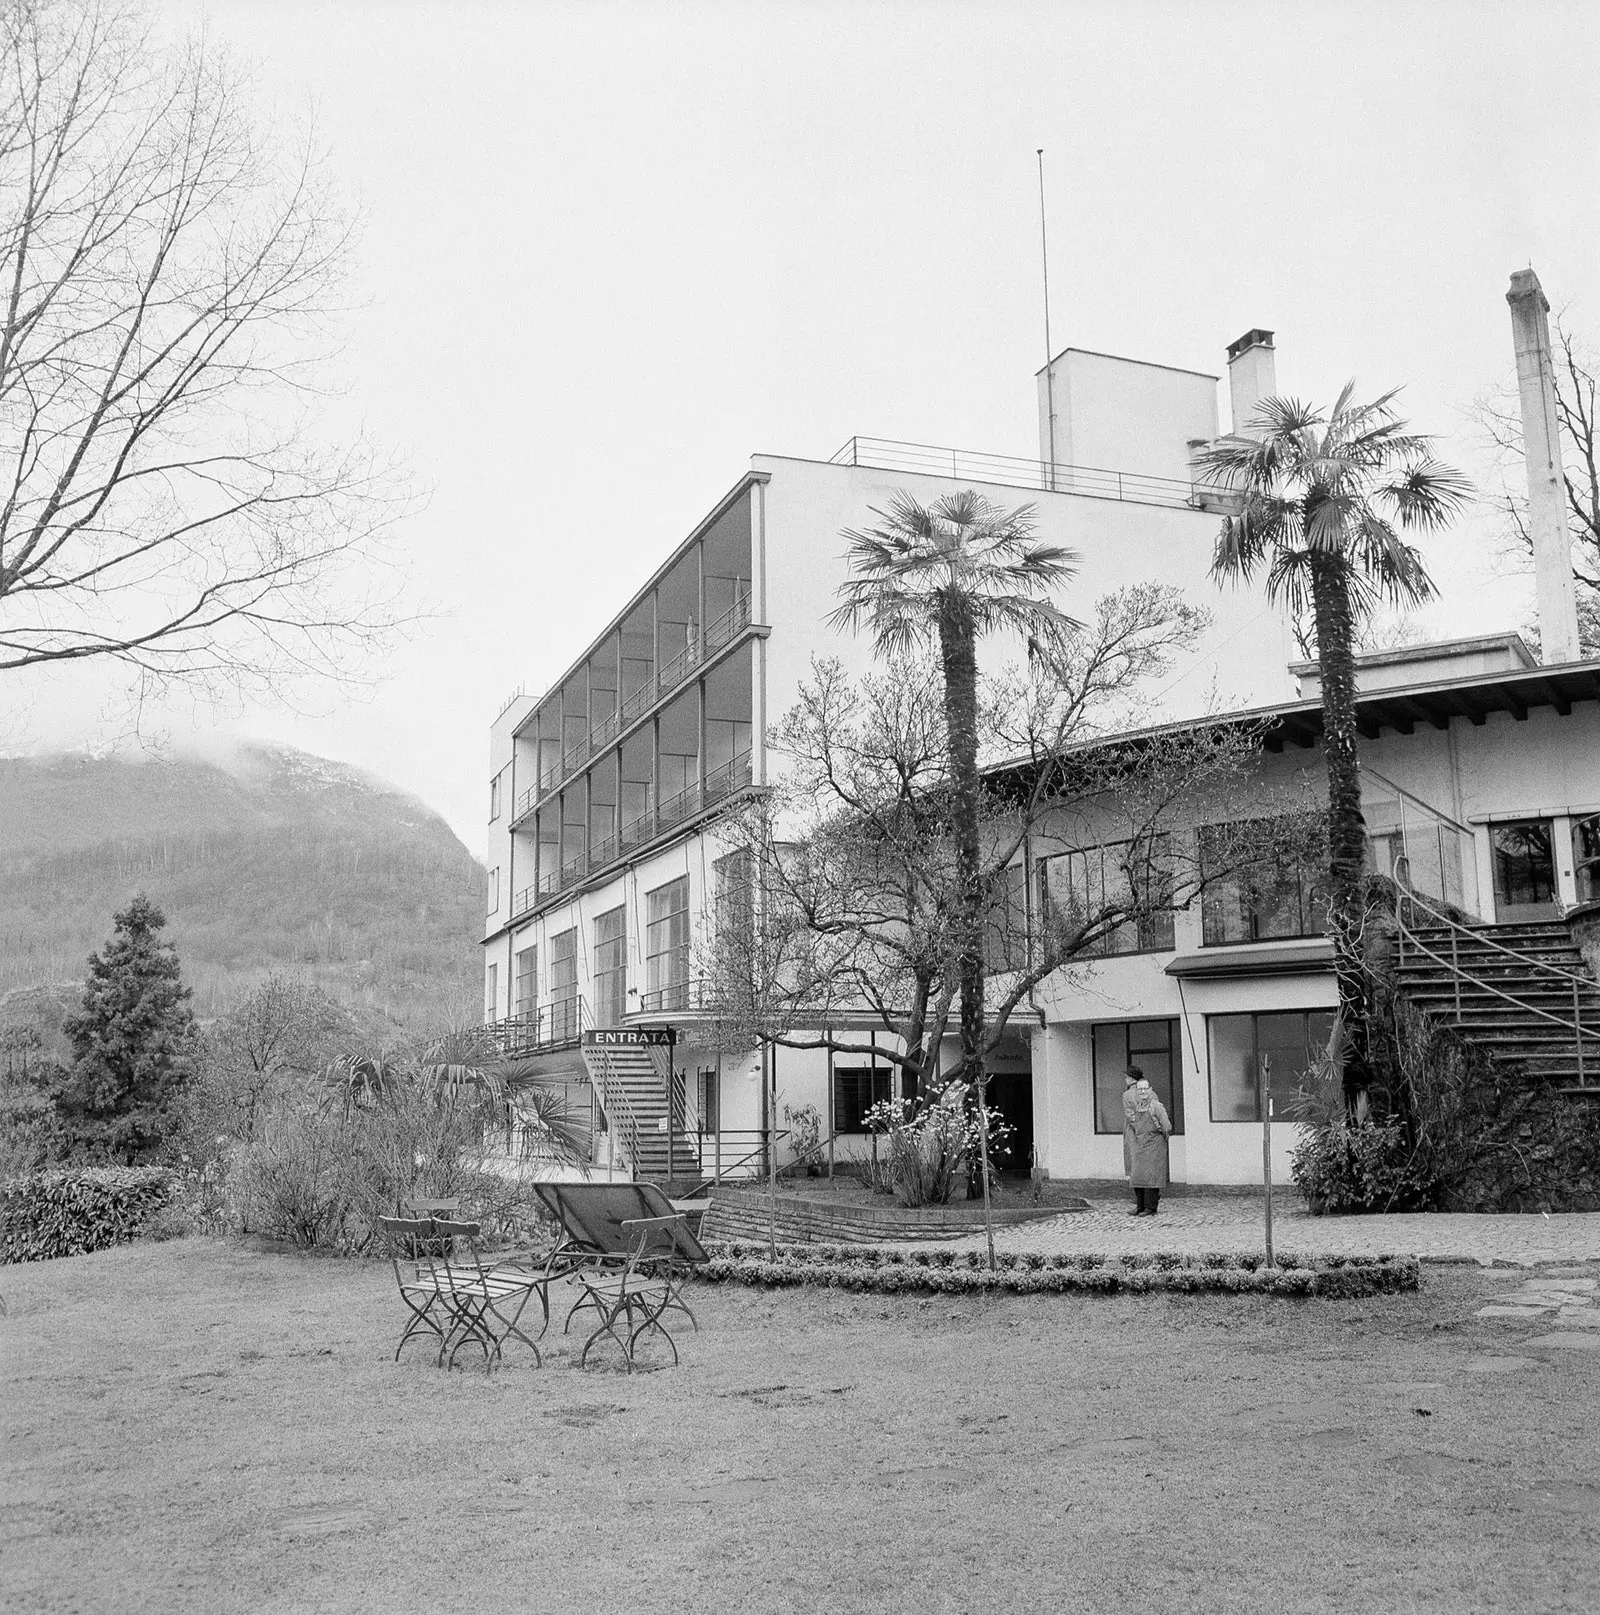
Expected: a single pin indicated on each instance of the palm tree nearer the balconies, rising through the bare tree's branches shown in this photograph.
(947, 574)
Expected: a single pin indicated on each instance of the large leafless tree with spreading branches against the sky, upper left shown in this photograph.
(167, 279)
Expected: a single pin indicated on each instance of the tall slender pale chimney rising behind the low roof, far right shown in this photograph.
(1557, 598)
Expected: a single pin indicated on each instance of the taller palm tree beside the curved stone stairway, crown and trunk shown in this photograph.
(1325, 501)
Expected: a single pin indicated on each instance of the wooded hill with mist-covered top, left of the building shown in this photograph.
(261, 857)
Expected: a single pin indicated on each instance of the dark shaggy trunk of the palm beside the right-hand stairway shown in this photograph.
(1346, 824)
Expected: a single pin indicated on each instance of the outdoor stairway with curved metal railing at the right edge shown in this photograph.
(1467, 975)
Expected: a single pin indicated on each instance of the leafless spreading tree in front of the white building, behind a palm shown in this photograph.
(837, 918)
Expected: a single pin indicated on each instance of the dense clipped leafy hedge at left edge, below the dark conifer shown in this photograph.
(75, 1210)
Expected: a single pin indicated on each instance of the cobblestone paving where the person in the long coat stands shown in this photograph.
(1196, 1223)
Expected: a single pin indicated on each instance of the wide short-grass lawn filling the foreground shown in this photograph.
(195, 1427)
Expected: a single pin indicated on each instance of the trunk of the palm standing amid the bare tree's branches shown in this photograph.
(958, 650)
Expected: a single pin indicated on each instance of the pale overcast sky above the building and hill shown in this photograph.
(611, 251)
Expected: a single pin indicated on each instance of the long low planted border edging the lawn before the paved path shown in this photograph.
(887, 1270)
